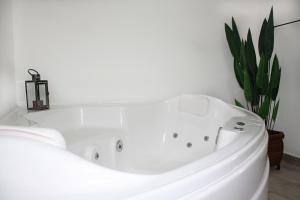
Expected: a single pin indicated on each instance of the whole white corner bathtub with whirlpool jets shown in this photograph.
(189, 147)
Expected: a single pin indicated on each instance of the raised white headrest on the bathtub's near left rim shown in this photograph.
(49, 136)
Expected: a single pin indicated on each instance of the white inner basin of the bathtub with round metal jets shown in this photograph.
(152, 138)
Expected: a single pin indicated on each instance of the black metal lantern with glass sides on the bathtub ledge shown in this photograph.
(37, 94)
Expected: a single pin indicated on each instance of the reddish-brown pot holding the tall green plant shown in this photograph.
(275, 147)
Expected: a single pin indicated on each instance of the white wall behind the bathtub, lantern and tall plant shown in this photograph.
(95, 51)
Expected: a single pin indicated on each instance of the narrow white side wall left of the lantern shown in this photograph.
(7, 80)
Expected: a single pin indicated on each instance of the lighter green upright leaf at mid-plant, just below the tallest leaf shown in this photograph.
(262, 78)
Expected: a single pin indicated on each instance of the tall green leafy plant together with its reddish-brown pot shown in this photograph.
(259, 80)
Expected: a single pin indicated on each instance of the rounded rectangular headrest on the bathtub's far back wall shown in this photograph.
(194, 104)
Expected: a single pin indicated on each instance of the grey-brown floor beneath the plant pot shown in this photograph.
(284, 184)
